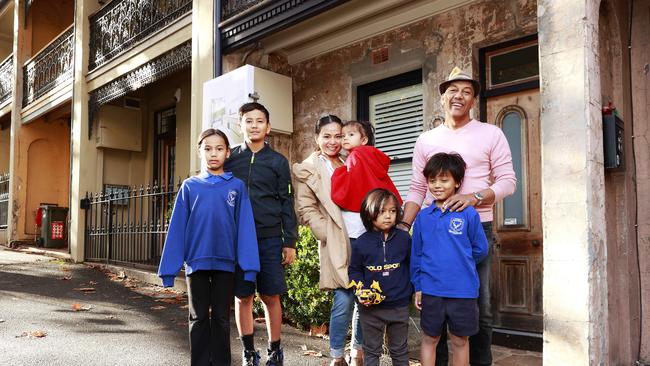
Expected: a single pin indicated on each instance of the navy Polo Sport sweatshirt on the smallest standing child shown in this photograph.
(384, 261)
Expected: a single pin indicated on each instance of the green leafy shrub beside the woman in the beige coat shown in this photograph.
(305, 304)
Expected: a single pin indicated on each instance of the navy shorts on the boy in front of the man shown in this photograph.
(461, 315)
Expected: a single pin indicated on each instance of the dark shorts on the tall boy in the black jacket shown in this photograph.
(270, 279)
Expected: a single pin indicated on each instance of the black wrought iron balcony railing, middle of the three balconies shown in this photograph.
(49, 68)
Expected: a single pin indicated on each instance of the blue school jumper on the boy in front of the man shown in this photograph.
(446, 247)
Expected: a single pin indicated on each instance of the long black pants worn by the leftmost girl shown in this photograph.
(210, 332)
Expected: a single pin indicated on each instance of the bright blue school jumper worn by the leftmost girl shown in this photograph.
(212, 228)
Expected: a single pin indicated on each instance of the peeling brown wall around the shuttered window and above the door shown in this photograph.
(327, 84)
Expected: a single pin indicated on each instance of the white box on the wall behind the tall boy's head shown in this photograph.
(222, 97)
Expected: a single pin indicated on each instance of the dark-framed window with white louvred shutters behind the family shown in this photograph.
(395, 107)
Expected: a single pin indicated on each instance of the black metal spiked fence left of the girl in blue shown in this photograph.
(128, 225)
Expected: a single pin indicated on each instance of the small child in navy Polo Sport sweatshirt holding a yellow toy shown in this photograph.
(379, 272)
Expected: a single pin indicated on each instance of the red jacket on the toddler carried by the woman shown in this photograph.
(366, 168)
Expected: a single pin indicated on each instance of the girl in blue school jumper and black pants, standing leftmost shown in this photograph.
(211, 230)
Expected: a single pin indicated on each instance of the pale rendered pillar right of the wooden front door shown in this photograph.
(575, 286)
